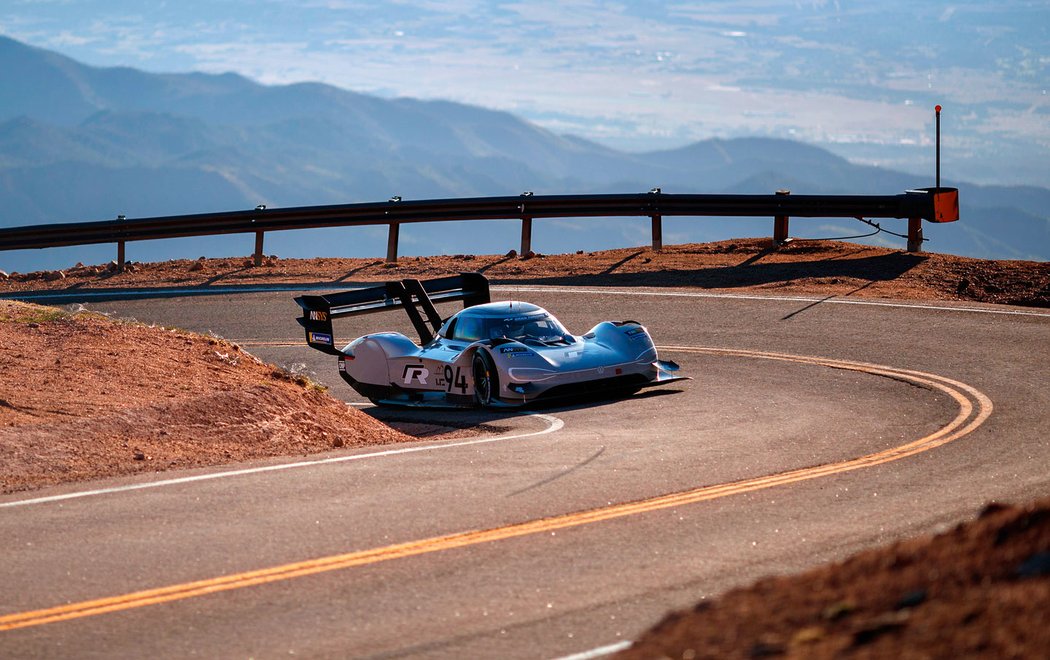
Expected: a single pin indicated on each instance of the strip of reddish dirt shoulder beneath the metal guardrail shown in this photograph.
(802, 268)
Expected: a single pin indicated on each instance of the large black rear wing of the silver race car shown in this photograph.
(409, 294)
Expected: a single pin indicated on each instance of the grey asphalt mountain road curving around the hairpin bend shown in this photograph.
(396, 577)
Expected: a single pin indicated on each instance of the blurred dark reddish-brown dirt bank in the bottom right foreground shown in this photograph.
(980, 591)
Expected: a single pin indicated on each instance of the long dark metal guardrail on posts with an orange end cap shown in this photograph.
(936, 205)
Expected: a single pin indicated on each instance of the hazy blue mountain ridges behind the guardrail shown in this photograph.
(81, 143)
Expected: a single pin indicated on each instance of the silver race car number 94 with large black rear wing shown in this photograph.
(489, 355)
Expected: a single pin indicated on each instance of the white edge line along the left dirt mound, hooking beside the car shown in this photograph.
(554, 424)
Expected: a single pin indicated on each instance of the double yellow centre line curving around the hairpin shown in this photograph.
(974, 410)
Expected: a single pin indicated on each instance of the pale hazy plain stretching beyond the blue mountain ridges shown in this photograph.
(859, 77)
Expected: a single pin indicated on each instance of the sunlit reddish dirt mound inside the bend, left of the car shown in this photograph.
(85, 397)
